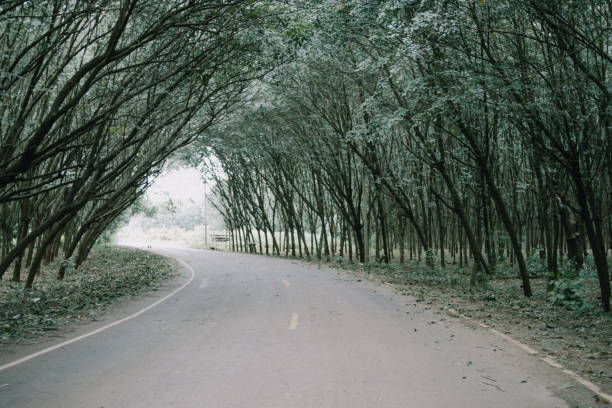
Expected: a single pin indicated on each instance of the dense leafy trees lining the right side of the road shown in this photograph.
(468, 133)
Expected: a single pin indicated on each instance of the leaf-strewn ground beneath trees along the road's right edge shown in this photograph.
(579, 340)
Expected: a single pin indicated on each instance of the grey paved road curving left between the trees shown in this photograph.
(254, 331)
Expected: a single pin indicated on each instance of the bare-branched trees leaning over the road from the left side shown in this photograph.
(94, 98)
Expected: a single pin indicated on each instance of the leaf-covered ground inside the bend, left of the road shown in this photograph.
(108, 275)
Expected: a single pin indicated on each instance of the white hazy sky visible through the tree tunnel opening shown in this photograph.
(179, 184)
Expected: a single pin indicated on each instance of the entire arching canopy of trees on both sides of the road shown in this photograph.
(450, 129)
